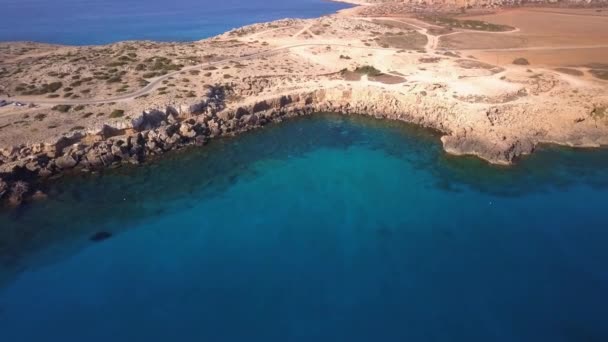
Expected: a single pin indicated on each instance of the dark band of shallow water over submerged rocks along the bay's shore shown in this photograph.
(81, 206)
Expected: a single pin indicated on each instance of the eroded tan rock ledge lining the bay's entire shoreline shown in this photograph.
(500, 136)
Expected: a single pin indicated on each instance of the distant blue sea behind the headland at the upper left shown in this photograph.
(84, 22)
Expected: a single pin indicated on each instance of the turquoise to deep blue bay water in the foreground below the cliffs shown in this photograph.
(323, 228)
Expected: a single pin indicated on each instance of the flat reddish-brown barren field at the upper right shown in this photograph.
(551, 37)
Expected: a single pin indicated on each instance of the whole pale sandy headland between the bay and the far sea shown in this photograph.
(452, 75)
